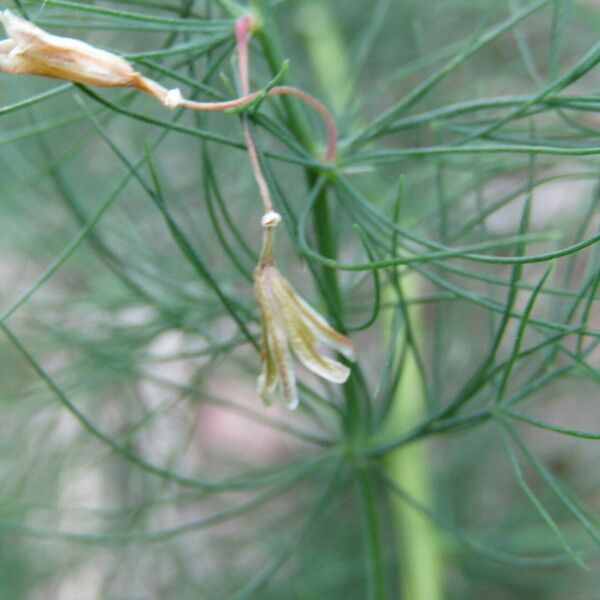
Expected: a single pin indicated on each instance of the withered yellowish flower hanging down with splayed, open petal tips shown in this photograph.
(288, 322)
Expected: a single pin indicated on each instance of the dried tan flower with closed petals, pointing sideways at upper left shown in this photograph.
(33, 51)
